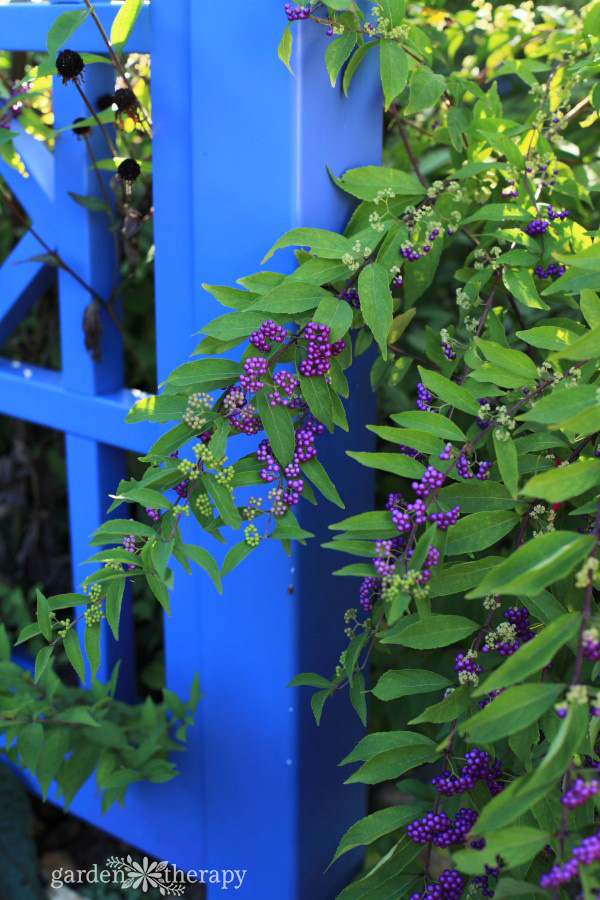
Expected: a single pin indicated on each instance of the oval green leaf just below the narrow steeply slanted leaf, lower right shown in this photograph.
(509, 712)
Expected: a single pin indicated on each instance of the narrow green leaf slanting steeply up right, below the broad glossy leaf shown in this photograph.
(532, 656)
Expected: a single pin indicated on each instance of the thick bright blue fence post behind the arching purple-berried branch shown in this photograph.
(252, 165)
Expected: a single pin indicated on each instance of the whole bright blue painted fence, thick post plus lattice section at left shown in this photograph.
(240, 156)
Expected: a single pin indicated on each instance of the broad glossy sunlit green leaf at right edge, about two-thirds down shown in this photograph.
(536, 564)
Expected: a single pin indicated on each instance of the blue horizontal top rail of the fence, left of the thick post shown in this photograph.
(26, 25)
